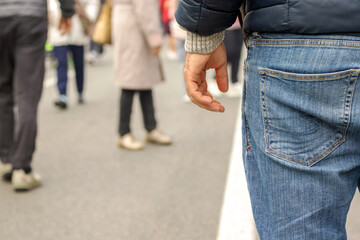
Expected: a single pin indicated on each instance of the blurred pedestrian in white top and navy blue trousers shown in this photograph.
(71, 43)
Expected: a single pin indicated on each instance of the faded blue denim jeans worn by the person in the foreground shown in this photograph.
(301, 133)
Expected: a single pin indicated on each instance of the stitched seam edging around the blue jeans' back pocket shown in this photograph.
(354, 74)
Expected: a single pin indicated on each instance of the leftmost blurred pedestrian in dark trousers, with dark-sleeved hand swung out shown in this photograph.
(23, 32)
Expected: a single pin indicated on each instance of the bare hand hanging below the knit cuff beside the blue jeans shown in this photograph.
(195, 77)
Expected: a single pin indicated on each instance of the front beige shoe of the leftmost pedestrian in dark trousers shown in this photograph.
(22, 181)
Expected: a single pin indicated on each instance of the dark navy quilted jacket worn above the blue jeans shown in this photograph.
(205, 17)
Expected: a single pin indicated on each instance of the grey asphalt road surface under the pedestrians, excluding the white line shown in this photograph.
(95, 191)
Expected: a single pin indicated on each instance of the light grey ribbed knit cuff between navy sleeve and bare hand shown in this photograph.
(202, 44)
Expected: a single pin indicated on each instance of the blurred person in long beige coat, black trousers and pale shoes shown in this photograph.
(137, 39)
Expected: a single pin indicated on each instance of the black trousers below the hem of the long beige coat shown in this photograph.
(147, 107)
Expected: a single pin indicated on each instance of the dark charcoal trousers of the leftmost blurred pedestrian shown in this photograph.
(22, 54)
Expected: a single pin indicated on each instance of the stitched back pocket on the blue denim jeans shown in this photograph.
(305, 116)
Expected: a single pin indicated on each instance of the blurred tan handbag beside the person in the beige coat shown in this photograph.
(102, 29)
